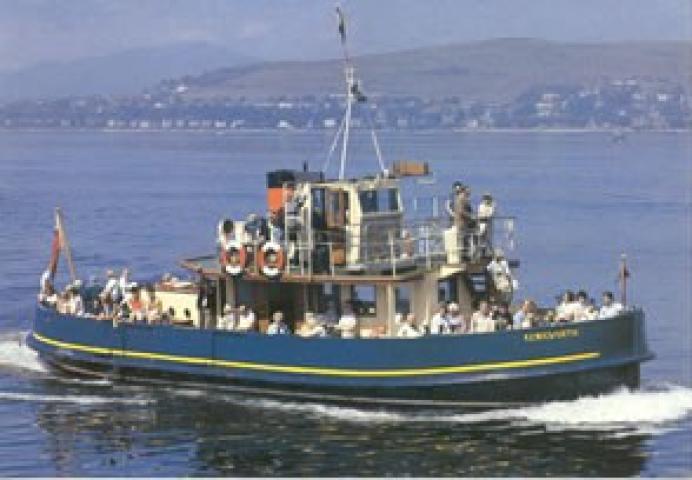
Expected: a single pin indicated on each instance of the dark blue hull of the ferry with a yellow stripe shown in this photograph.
(514, 366)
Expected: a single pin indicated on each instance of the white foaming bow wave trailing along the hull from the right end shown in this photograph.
(622, 412)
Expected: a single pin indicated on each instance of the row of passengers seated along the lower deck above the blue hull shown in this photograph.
(123, 299)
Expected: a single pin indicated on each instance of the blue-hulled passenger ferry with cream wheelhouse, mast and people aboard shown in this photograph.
(362, 282)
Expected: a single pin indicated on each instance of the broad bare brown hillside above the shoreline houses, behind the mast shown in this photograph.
(487, 71)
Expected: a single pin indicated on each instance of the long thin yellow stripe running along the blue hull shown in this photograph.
(305, 370)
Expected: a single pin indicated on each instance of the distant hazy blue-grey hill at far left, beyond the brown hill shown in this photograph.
(125, 72)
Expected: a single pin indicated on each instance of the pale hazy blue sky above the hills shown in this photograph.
(34, 31)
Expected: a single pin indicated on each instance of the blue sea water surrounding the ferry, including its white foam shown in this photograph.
(144, 200)
